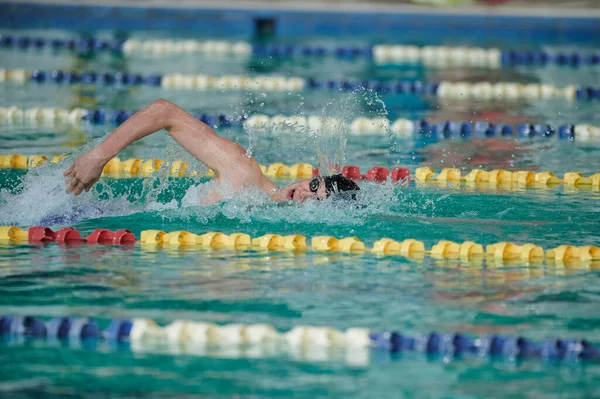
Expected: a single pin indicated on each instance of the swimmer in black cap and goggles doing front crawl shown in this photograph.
(227, 159)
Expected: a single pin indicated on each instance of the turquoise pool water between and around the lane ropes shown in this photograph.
(538, 301)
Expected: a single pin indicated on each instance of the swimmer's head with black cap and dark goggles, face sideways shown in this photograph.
(320, 188)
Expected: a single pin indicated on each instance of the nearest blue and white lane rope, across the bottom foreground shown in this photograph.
(434, 343)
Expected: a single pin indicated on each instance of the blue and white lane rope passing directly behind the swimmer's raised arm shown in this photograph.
(403, 128)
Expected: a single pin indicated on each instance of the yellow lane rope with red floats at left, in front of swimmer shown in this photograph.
(410, 248)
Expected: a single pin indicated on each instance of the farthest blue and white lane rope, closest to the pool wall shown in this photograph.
(432, 56)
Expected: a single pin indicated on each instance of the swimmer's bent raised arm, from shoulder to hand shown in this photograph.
(218, 153)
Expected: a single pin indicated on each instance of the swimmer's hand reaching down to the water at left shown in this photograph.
(85, 172)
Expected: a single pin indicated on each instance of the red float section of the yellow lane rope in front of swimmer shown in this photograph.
(69, 235)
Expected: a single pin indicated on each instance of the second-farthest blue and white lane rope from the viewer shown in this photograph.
(447, 90)
